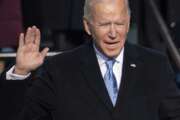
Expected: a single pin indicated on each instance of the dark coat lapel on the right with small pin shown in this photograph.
(130, 68)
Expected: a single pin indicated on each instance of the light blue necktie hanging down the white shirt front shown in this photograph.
(110, 81)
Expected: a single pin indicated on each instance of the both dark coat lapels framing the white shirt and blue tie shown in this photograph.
(92, 74)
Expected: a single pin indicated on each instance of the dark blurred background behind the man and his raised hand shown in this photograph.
(60, 22)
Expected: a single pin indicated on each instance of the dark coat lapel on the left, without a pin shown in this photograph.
(93, 77)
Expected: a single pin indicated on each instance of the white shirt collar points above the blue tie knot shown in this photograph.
(102, 58)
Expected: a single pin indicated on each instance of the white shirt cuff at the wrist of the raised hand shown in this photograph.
(11, 76)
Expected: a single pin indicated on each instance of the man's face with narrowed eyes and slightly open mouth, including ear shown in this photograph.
(109, 26)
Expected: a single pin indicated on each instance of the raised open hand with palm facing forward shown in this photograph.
(28, 55)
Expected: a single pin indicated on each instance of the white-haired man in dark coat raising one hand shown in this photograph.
(105, 79)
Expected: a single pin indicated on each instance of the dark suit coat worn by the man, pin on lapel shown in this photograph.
(71, 87)
